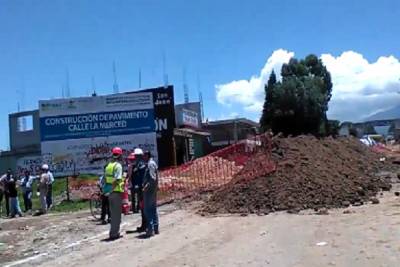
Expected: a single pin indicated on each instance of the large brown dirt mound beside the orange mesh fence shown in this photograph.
(311, 173)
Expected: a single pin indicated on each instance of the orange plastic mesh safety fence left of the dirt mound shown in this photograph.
(243, 161)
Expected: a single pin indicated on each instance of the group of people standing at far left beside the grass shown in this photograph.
(10, 187)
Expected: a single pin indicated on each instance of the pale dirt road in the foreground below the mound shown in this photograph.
(367, 236)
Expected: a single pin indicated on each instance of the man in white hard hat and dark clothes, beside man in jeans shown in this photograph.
(137, 184)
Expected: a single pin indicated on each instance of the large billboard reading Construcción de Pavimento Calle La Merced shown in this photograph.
(77, 134)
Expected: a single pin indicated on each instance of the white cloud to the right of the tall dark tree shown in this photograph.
(360, 88)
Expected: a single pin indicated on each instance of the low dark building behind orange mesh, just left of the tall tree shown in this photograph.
(227, 132)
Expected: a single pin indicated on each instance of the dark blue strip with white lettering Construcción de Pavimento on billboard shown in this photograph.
(96, 124)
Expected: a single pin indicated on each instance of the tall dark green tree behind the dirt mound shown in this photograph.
(298, 104)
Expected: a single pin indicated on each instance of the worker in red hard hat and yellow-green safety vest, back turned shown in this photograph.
(113, 174)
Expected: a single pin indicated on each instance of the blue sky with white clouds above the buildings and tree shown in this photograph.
(228, 49)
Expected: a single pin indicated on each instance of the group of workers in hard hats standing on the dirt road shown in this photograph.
(142, 178)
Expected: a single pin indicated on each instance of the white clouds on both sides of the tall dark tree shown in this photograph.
(360, 88)
